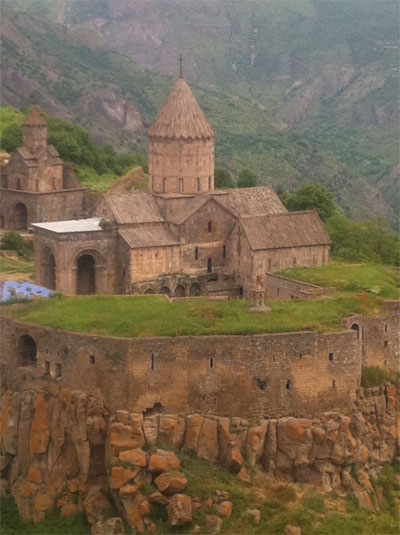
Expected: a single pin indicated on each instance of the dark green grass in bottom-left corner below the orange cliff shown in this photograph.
(53, 525)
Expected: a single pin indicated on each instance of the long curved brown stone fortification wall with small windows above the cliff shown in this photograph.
(274, 375)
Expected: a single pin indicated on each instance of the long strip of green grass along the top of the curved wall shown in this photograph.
(146, 316)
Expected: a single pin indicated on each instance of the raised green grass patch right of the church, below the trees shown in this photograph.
(375, 279)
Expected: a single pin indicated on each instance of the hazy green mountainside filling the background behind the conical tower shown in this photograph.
(268, 75)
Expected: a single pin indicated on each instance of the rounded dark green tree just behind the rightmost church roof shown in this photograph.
(312, 196)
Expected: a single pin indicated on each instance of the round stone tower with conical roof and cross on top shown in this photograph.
(181, 146)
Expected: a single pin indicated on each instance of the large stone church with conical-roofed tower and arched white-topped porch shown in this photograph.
(180, 237)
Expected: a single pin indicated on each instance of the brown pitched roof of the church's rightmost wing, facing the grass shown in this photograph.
(291, 229)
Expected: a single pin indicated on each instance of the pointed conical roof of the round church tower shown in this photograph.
(181, 116)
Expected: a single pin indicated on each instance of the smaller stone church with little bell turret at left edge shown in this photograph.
(36, 185)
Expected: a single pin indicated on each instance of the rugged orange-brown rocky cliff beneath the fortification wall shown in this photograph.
(67, 449)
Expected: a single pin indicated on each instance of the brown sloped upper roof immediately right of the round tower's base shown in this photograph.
(250, 201)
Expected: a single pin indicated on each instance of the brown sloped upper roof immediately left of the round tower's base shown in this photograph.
(133, 207)
